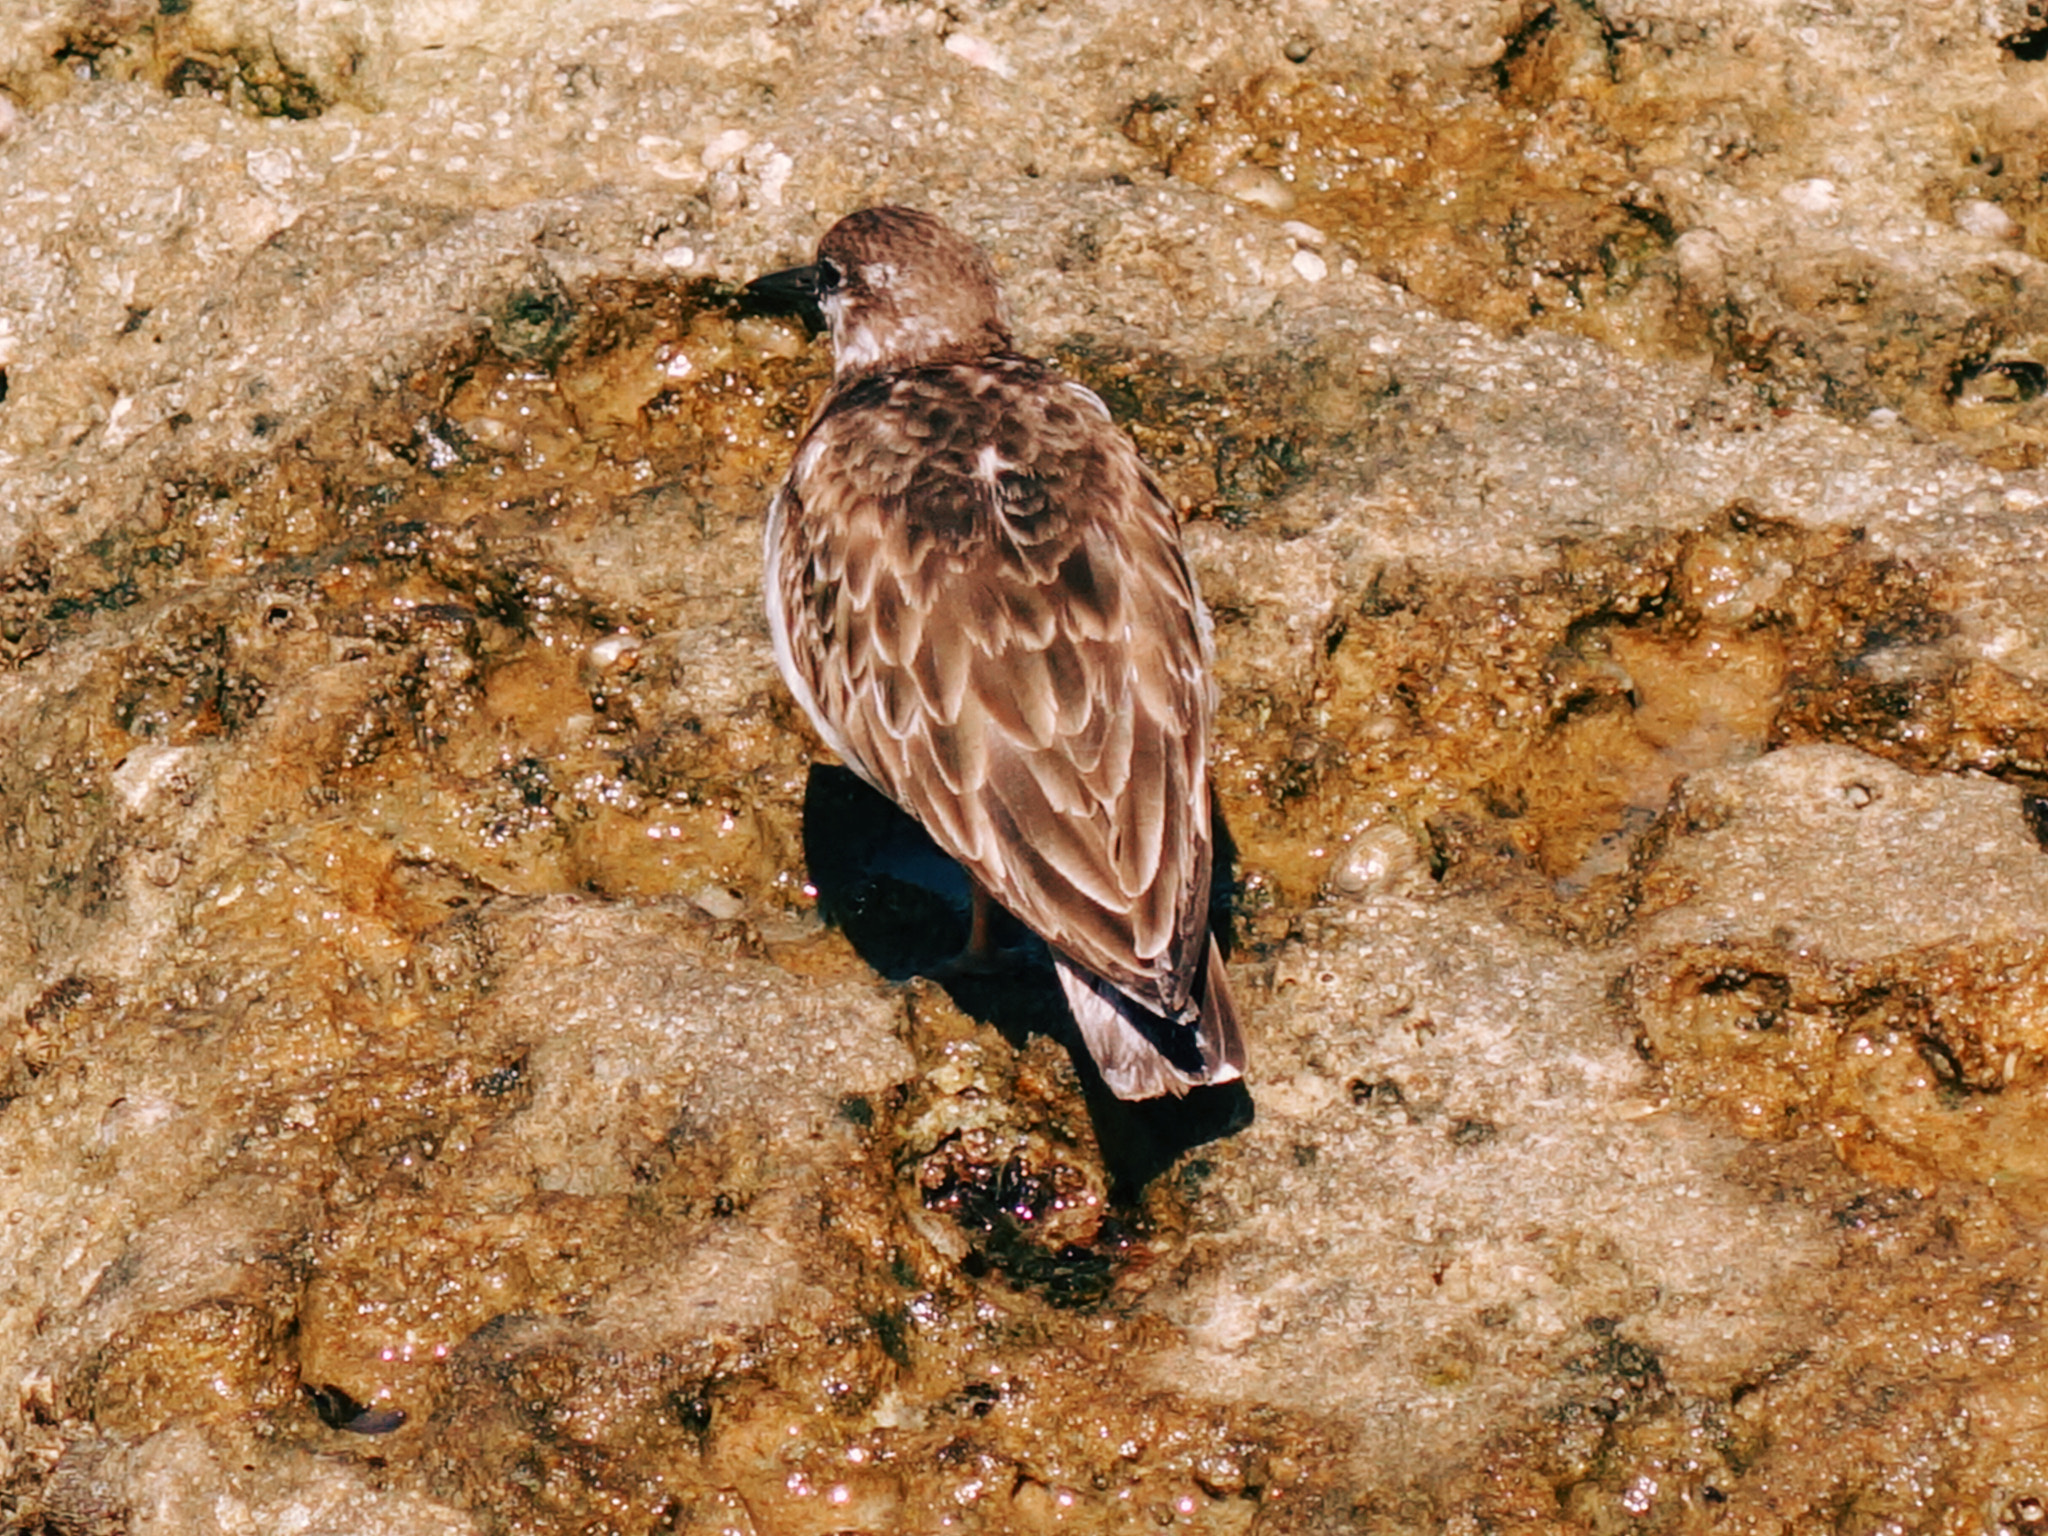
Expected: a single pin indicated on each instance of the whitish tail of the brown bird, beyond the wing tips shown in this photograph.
(1146, 1056)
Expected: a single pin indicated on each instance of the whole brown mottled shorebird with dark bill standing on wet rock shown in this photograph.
(980, 597)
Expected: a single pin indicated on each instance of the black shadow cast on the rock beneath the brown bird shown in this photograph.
(904, 906)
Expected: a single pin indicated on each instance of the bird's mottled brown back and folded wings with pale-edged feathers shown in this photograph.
(992, 622)
